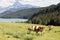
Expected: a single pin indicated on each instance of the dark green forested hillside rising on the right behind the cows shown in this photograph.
(47, 15)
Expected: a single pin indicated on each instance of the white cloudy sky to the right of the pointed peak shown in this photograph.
(40, 2)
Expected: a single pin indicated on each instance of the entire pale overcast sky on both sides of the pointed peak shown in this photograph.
(41, 3)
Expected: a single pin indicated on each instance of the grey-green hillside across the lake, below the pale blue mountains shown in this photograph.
(26, 13)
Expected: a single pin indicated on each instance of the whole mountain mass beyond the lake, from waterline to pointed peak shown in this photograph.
(18, 10)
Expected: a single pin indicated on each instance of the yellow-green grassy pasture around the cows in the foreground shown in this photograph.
(18, 31)
